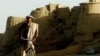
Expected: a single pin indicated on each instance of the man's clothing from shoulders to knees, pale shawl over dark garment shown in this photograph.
(29, 33)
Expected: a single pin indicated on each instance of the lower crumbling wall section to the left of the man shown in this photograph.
(10, 41)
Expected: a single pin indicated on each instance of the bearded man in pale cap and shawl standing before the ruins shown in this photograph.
(29, 32)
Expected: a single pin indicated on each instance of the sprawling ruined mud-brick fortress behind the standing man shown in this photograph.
(62, 31)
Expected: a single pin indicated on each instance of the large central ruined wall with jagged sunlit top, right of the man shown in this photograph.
(52, 27)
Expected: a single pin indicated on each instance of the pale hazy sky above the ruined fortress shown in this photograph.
(22, 8)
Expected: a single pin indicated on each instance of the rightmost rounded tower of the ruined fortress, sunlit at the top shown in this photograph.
(87, 29)
